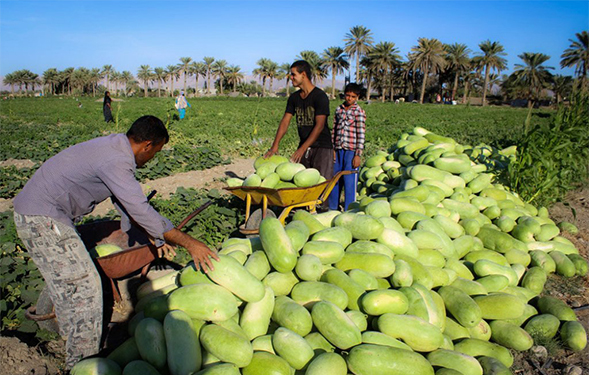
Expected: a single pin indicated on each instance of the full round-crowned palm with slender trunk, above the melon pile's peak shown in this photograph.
(428, 57)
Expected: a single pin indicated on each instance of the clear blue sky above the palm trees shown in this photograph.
(38, 35)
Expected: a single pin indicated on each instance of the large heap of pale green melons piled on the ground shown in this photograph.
(436, 270)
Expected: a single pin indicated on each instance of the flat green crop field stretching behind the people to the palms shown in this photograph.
(36, 128)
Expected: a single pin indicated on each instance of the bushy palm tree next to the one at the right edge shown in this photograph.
(533, 74)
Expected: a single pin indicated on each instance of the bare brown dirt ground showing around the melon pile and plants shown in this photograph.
(19, 358)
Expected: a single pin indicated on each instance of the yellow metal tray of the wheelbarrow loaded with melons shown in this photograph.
(280, 197)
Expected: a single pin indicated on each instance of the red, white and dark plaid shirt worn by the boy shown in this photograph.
(349, 127)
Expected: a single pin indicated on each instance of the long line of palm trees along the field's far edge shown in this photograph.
(431, 67)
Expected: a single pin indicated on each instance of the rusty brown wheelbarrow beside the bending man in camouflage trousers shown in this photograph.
(138, 254)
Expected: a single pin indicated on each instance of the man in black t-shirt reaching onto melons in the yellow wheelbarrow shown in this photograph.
(311, 107)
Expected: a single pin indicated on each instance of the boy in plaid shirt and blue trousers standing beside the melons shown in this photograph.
(349, 127)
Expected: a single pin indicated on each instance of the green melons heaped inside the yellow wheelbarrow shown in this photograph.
(276, 172)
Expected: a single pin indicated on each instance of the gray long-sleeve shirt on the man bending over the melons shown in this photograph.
(71, 183)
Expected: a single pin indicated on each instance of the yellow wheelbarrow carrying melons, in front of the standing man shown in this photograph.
(287, 198)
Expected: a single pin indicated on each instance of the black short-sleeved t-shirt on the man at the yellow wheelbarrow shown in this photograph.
(305, 110)
